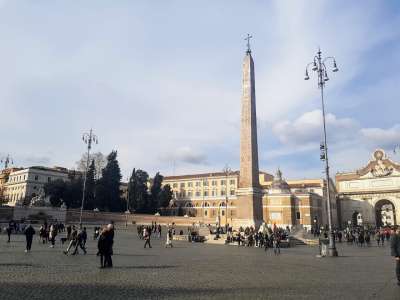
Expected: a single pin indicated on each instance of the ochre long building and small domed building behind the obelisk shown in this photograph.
(213, 198)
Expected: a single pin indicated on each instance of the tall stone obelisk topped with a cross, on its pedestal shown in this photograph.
(249, 203)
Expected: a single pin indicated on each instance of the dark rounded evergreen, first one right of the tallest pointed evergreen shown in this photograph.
(138, 191)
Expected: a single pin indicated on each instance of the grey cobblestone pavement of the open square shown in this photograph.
(193, 271)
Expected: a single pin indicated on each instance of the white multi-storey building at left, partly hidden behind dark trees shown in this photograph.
(28, 183)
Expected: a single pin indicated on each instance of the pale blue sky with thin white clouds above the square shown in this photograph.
(160, 82)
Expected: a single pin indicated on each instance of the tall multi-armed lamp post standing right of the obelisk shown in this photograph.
(318, 65)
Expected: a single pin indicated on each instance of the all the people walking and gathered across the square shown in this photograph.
(264, 238)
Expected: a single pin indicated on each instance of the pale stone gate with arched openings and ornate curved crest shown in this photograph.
(370, 195)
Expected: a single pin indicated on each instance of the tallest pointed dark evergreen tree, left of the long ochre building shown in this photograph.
(108, 195)
